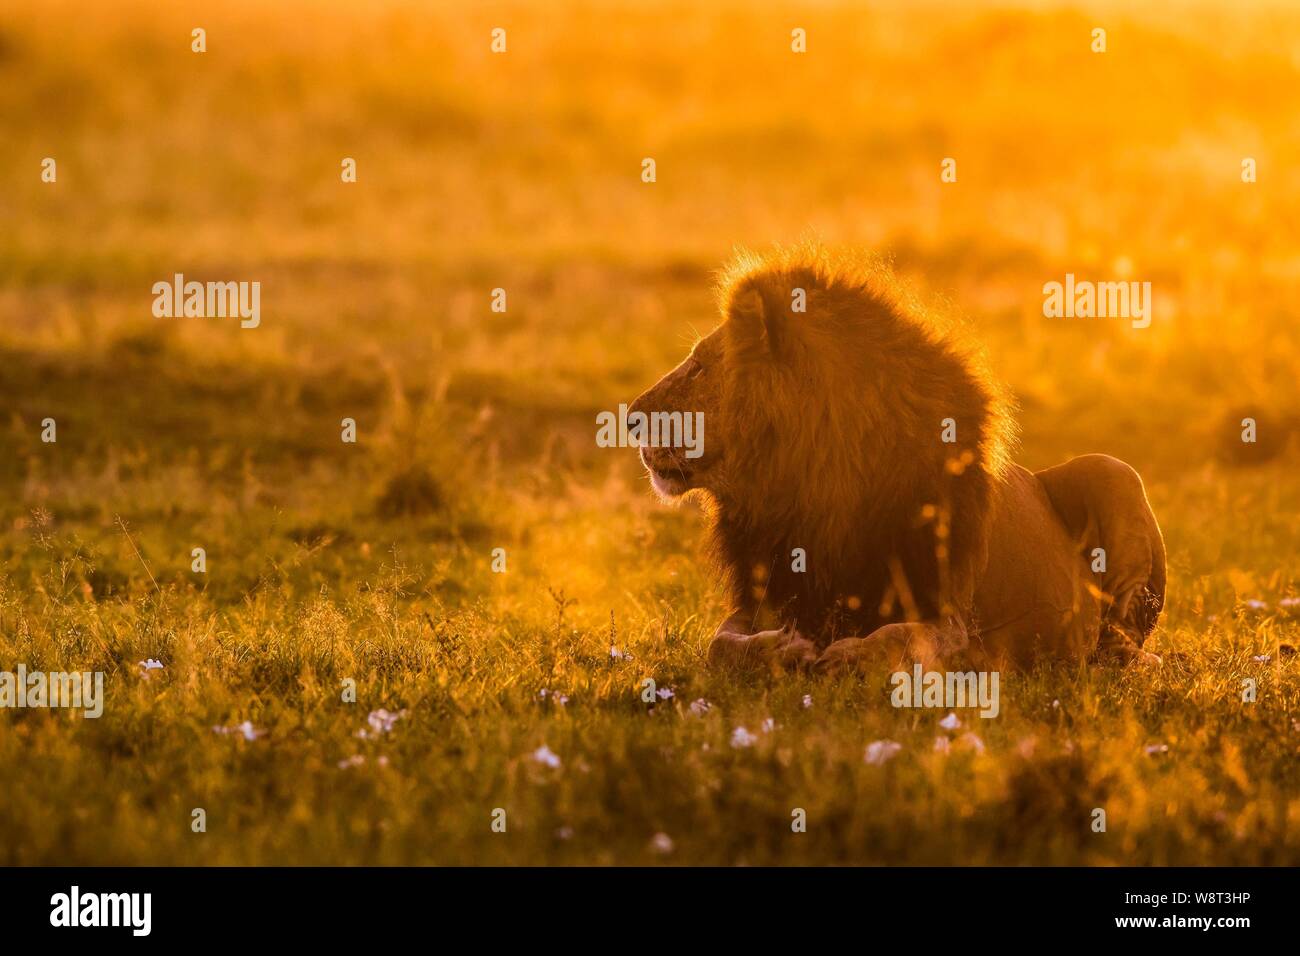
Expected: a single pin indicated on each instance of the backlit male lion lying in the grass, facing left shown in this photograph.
(864, 508)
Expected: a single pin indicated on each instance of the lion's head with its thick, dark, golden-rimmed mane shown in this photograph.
(840, 421)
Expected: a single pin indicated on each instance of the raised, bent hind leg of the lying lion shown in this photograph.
(1104, 507)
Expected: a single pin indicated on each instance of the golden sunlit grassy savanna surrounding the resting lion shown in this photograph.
(476, 430)
